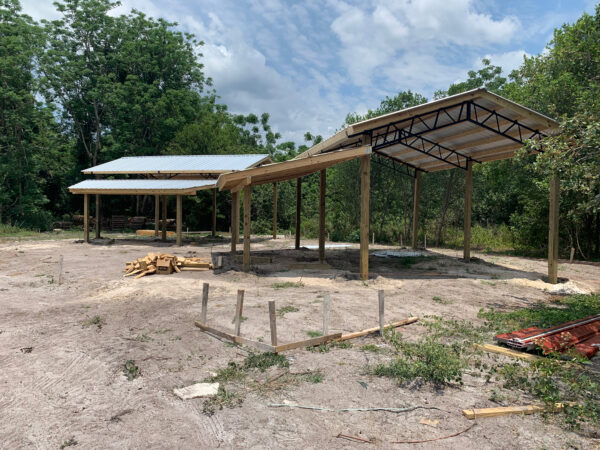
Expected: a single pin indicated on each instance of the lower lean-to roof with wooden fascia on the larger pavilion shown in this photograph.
(288, 170)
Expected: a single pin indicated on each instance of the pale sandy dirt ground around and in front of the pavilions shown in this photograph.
(61, 376)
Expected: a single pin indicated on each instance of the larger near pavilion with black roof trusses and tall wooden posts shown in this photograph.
(452, 133)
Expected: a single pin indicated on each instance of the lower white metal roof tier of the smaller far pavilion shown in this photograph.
(183, 187)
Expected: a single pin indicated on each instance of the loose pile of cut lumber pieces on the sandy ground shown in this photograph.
(164, 264)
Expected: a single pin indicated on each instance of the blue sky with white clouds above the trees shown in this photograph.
(308, 63)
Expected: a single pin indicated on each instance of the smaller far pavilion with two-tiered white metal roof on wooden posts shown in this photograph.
(160, 176)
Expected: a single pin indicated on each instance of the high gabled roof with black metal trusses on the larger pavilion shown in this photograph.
(472, 126)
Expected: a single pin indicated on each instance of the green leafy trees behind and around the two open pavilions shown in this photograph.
(91, 87)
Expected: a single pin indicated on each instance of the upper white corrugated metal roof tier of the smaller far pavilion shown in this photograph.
(189, 164)
